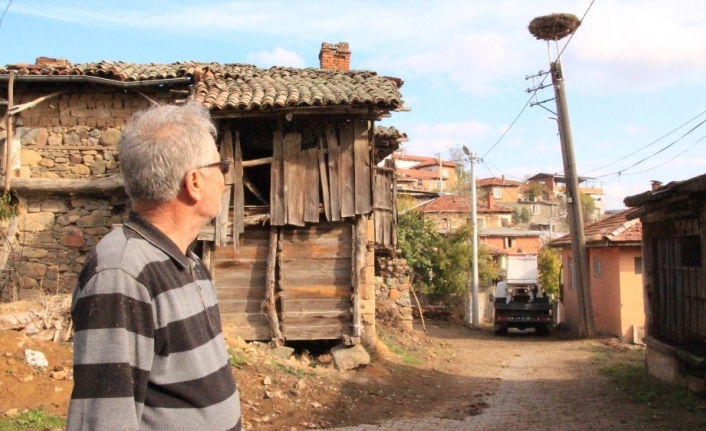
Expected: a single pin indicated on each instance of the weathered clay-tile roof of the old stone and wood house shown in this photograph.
(242, 86)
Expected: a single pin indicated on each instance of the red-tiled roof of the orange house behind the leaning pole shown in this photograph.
(611, 230)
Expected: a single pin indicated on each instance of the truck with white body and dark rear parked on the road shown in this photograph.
(519, 302)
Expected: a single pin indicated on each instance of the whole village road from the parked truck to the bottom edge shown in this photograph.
(526, 382)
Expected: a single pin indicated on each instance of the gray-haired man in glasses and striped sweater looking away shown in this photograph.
(149, 352)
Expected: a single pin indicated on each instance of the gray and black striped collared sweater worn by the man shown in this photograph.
(149, 352)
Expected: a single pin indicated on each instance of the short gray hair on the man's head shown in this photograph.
(159, 145)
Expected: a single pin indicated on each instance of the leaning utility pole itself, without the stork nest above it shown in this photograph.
(573, 203)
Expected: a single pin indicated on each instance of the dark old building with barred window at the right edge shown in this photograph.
(674, 277)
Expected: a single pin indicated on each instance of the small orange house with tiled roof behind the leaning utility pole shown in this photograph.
(616, 264)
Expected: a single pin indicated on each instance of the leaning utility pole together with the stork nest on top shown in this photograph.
(552, 28)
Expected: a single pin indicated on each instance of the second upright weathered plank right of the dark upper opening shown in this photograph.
(294, 183)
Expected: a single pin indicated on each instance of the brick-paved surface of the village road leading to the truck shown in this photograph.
(569, 395)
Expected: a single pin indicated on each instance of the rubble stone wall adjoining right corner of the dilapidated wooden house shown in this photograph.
(392, 288)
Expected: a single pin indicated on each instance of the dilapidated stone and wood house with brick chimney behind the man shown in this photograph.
(305, 209)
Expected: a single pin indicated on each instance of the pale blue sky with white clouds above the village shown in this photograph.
(635, 70)
